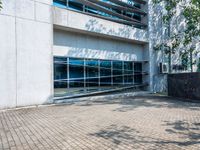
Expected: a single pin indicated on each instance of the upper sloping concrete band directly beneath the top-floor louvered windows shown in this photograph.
(75, 20)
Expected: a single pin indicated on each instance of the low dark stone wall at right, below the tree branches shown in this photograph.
(184, 85)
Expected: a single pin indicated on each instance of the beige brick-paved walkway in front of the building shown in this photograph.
(120, 124)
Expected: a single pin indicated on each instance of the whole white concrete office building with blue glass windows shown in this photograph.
(55, 49)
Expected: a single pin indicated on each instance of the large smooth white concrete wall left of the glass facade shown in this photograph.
(25, 52)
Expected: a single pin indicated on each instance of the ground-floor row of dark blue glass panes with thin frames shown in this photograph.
(79, 76)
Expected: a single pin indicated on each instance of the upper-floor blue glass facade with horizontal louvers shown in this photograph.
(125, 12)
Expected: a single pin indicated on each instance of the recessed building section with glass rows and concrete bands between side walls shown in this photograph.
(95, 49)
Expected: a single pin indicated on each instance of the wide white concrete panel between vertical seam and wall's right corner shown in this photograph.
(34, 59)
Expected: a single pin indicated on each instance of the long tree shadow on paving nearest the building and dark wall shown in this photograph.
(129, 103)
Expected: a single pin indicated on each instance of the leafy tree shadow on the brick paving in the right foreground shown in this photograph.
(126, 135)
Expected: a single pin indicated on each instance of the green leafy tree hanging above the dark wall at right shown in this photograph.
(186, 37)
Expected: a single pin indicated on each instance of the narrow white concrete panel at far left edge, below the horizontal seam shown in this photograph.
(7, 62)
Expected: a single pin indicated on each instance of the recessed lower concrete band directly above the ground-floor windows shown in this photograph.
(86, 46)
